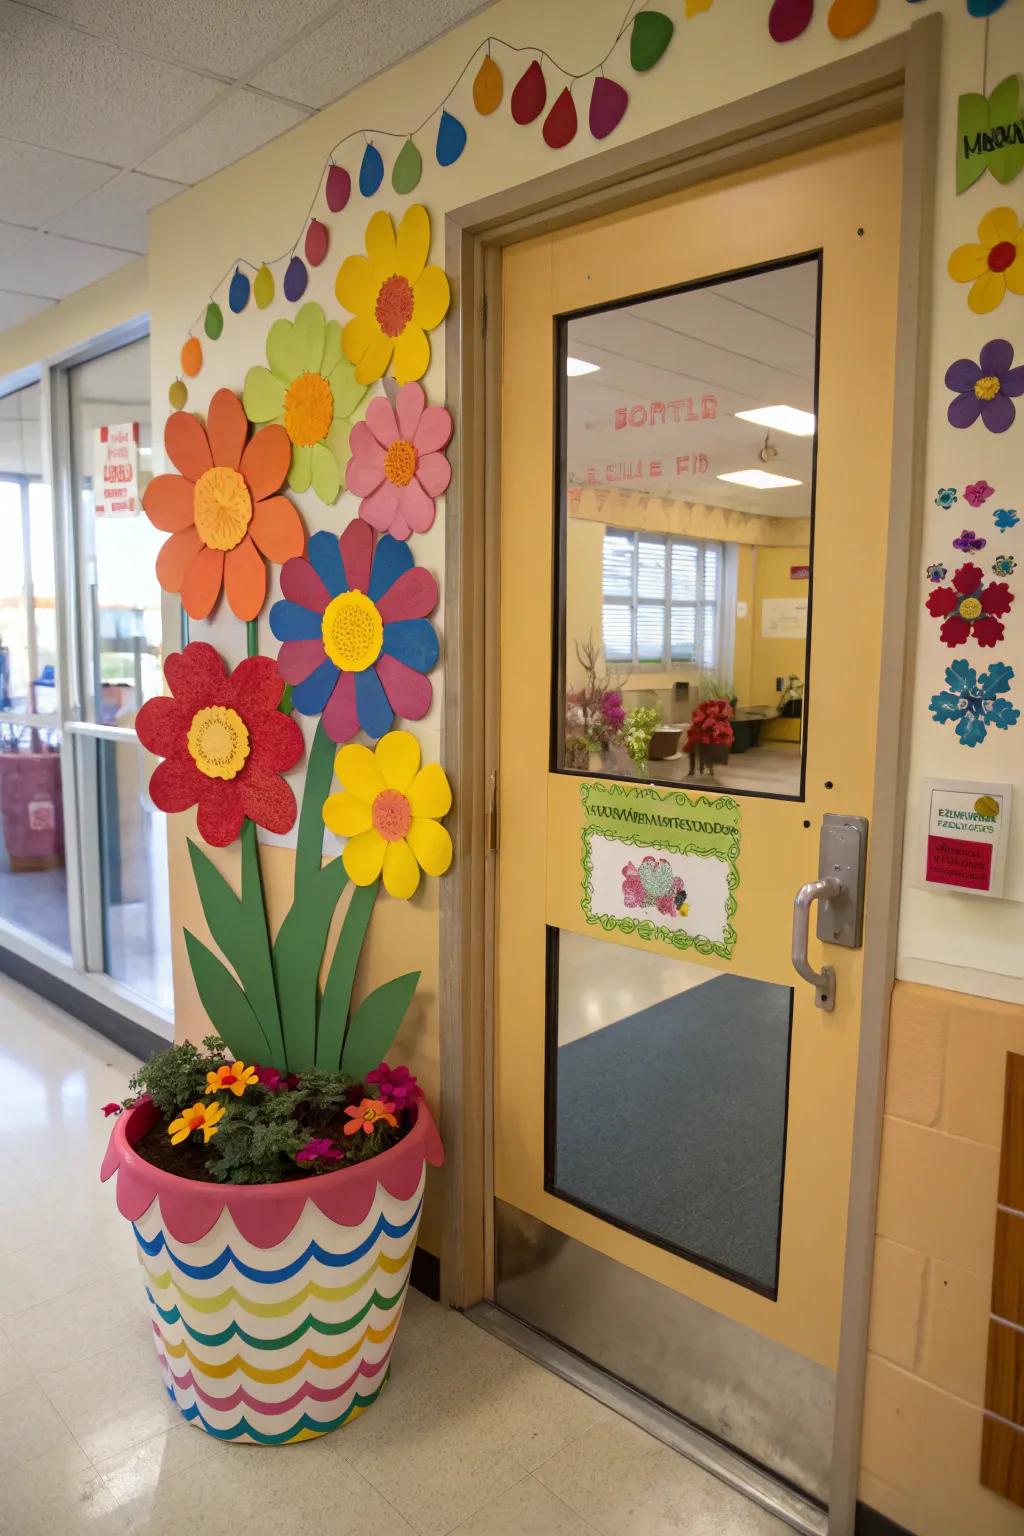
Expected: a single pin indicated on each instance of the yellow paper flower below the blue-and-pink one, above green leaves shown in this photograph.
(389, 810)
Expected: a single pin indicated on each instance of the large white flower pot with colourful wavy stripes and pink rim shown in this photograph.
(276, 1306)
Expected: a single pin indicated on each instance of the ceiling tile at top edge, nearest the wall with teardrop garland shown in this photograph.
(363, 39)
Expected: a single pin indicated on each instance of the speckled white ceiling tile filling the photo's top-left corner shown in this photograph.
(67, 91)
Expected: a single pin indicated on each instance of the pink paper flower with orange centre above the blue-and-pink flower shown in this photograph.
(398, 465)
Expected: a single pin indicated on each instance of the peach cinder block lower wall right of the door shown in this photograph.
(937, 1203)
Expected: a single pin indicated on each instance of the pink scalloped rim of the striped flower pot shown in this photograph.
(265, 1214)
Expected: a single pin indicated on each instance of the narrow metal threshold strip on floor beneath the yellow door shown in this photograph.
(684, 1438)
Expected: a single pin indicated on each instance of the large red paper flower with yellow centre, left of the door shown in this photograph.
(225, 743)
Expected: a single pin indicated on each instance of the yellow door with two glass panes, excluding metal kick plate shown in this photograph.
(696, 426)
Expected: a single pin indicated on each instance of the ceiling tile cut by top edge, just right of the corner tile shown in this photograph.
(236, 35)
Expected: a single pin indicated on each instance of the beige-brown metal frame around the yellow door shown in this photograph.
(893, 81)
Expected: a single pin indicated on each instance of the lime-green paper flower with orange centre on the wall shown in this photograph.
(312, 392)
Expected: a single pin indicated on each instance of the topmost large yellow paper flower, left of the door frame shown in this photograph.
(395, 299)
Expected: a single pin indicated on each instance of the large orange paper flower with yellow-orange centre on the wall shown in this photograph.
(222, 511)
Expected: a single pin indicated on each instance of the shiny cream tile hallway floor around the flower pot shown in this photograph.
(471, 1437)
